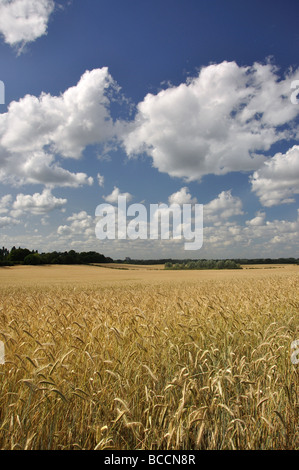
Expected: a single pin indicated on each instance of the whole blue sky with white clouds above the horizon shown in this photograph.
(169, 101)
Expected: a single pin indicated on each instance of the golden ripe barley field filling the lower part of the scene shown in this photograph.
(99, 358)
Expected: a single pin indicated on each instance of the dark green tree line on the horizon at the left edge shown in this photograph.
(28, 257)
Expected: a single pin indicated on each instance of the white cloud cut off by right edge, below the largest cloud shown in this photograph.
(278, 179)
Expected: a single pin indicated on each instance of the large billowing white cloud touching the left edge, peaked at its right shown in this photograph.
(36, 130)
